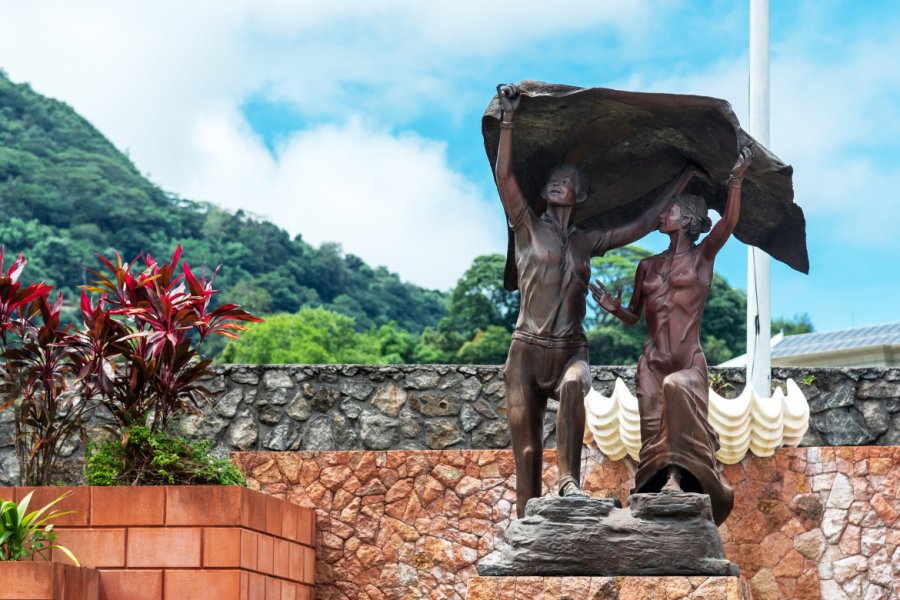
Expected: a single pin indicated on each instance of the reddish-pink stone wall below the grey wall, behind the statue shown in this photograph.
(807, 523)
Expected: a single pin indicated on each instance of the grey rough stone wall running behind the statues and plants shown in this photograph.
(353, 407)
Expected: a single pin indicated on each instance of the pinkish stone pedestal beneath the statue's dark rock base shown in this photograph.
(607, 588)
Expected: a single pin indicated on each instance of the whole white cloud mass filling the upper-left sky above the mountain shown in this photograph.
(165, 80)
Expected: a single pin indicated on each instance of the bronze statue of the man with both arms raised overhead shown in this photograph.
(548, 356)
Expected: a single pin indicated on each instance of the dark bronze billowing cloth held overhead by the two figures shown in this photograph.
(632, 145)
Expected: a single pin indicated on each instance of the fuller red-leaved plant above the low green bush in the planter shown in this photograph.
(144, 333)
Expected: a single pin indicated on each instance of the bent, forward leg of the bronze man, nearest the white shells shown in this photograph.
(573, 387)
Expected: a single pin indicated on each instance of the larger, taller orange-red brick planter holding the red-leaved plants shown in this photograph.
(216, 542)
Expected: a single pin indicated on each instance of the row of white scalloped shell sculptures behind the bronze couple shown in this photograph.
(746, 423)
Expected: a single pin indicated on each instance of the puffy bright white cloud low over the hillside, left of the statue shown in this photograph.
(391, 200)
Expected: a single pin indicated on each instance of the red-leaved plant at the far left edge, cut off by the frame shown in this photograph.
(38, 375)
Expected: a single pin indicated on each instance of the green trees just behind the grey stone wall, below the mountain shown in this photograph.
(475, 330)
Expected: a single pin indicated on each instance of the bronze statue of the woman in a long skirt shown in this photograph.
(678, 445)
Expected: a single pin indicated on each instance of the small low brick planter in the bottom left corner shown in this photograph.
(47, 581)
